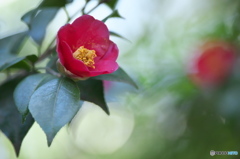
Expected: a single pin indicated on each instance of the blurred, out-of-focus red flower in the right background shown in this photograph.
(214, 63)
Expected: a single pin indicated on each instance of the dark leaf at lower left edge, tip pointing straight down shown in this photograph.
(10, 119)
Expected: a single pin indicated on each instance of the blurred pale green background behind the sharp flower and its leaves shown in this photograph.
(184, 57)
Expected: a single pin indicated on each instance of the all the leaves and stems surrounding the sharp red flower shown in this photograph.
(49, 98)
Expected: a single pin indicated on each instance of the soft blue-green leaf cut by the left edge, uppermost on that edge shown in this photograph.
(11, 44)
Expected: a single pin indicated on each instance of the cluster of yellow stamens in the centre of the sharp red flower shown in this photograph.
(86, 56)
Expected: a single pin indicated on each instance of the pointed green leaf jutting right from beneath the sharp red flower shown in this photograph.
(119, 76)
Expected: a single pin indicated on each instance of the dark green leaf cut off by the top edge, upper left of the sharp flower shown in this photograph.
(55, 3)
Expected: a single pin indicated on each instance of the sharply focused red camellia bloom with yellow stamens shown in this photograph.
(84, 48)
